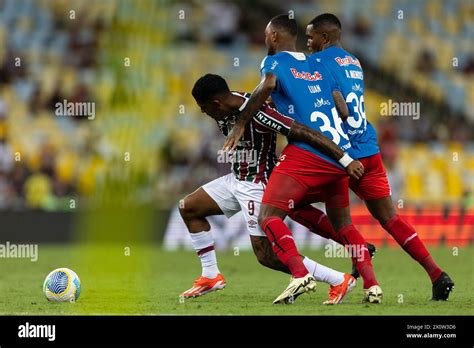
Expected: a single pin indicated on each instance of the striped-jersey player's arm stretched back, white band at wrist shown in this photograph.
(274, 120)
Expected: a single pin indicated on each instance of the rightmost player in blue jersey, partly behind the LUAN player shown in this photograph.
(324, 39)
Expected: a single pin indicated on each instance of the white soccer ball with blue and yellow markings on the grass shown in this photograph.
(62, 285)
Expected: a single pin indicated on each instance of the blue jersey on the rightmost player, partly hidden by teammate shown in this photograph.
(347, 71)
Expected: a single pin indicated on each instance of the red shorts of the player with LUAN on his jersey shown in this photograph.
(300, 178)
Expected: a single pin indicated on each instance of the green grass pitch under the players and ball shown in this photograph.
(148, 281)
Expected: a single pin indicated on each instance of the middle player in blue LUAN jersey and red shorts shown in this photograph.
(303, 174)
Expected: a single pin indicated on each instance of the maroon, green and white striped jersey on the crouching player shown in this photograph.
(254, 158)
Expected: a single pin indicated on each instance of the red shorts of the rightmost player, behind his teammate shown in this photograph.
(374, 183)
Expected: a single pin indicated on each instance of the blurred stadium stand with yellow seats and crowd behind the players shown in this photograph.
(147, 109)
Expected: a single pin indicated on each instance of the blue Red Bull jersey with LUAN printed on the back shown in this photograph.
(304, 92)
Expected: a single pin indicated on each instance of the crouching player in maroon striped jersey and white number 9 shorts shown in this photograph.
(242, 190)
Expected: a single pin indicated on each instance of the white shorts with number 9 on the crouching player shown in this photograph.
(232, 196)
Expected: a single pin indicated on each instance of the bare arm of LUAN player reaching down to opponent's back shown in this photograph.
(258, 97)
